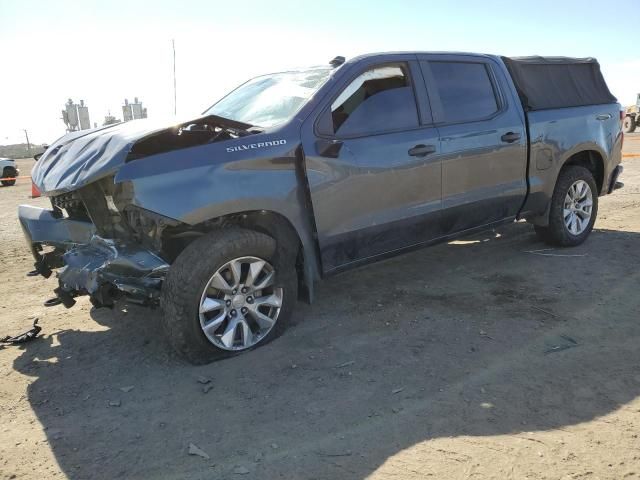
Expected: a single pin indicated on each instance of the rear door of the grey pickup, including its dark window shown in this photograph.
(482, 139)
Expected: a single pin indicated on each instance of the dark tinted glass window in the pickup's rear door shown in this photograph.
(466, 91)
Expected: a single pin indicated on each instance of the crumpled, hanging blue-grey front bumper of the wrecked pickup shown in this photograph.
(87, 263)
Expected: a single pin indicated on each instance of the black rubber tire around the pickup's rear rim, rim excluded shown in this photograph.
(557, 233)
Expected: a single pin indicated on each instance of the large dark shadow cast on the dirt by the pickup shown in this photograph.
(473, 338)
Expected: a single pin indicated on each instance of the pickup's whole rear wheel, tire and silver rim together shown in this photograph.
(573, 210)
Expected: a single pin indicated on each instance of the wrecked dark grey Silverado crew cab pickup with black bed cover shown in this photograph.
(226, 220)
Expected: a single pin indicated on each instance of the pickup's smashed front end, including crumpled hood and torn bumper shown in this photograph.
(97, 240)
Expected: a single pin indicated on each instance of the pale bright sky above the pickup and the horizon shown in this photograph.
(105, 51)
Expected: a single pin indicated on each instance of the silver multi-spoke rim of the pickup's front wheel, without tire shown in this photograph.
(240, 305)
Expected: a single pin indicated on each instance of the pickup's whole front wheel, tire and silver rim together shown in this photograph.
(226, 293)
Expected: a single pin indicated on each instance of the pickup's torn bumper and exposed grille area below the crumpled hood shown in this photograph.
(94, 249)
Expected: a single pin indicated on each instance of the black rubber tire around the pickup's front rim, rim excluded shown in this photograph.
(190, 273)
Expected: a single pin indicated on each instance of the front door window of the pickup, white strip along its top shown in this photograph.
(381, 99)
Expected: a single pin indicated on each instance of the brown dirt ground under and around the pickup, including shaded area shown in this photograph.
(445, 363)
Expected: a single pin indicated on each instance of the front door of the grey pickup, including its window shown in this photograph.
(371, 159)
